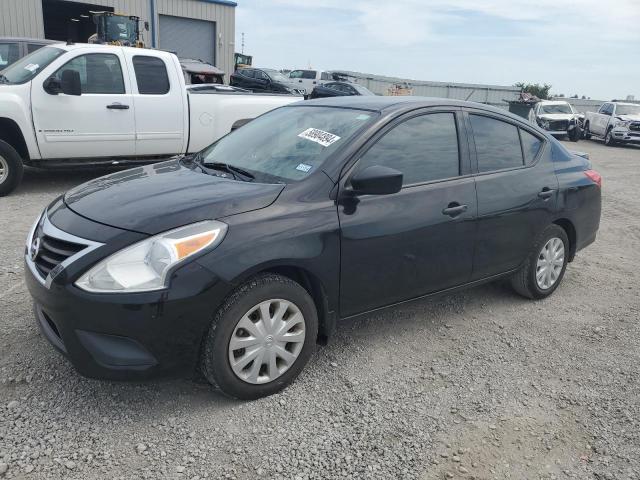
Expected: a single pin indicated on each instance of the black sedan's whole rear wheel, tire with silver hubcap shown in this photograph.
(525, 281)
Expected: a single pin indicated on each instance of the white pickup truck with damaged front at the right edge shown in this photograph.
(616, 122)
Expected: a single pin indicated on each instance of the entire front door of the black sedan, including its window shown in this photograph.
(404, 245)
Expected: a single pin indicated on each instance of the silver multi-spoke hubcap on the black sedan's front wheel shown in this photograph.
(267, 341)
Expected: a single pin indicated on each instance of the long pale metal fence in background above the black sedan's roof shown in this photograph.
(496, 95)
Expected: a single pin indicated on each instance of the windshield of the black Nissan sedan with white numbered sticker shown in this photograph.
(289, 143)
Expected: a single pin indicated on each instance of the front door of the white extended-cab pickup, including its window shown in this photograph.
(99, 123)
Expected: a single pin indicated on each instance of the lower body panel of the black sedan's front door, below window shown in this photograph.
(401, 246)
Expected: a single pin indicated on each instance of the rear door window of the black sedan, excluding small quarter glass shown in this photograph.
(497, 144)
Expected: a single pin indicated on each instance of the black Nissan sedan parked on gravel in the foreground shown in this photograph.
(239, 259)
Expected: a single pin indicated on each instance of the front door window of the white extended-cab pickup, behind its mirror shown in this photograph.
(100, 73)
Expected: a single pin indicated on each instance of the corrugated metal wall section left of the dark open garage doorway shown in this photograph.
(21, 18)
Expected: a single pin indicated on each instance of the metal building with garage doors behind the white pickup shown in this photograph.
(199, 29)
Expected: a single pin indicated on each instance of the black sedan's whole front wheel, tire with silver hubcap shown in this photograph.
(244, 305)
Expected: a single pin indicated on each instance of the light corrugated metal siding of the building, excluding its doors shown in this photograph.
(23, 18)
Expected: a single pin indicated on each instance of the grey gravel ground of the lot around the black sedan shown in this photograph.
(482, 384)
